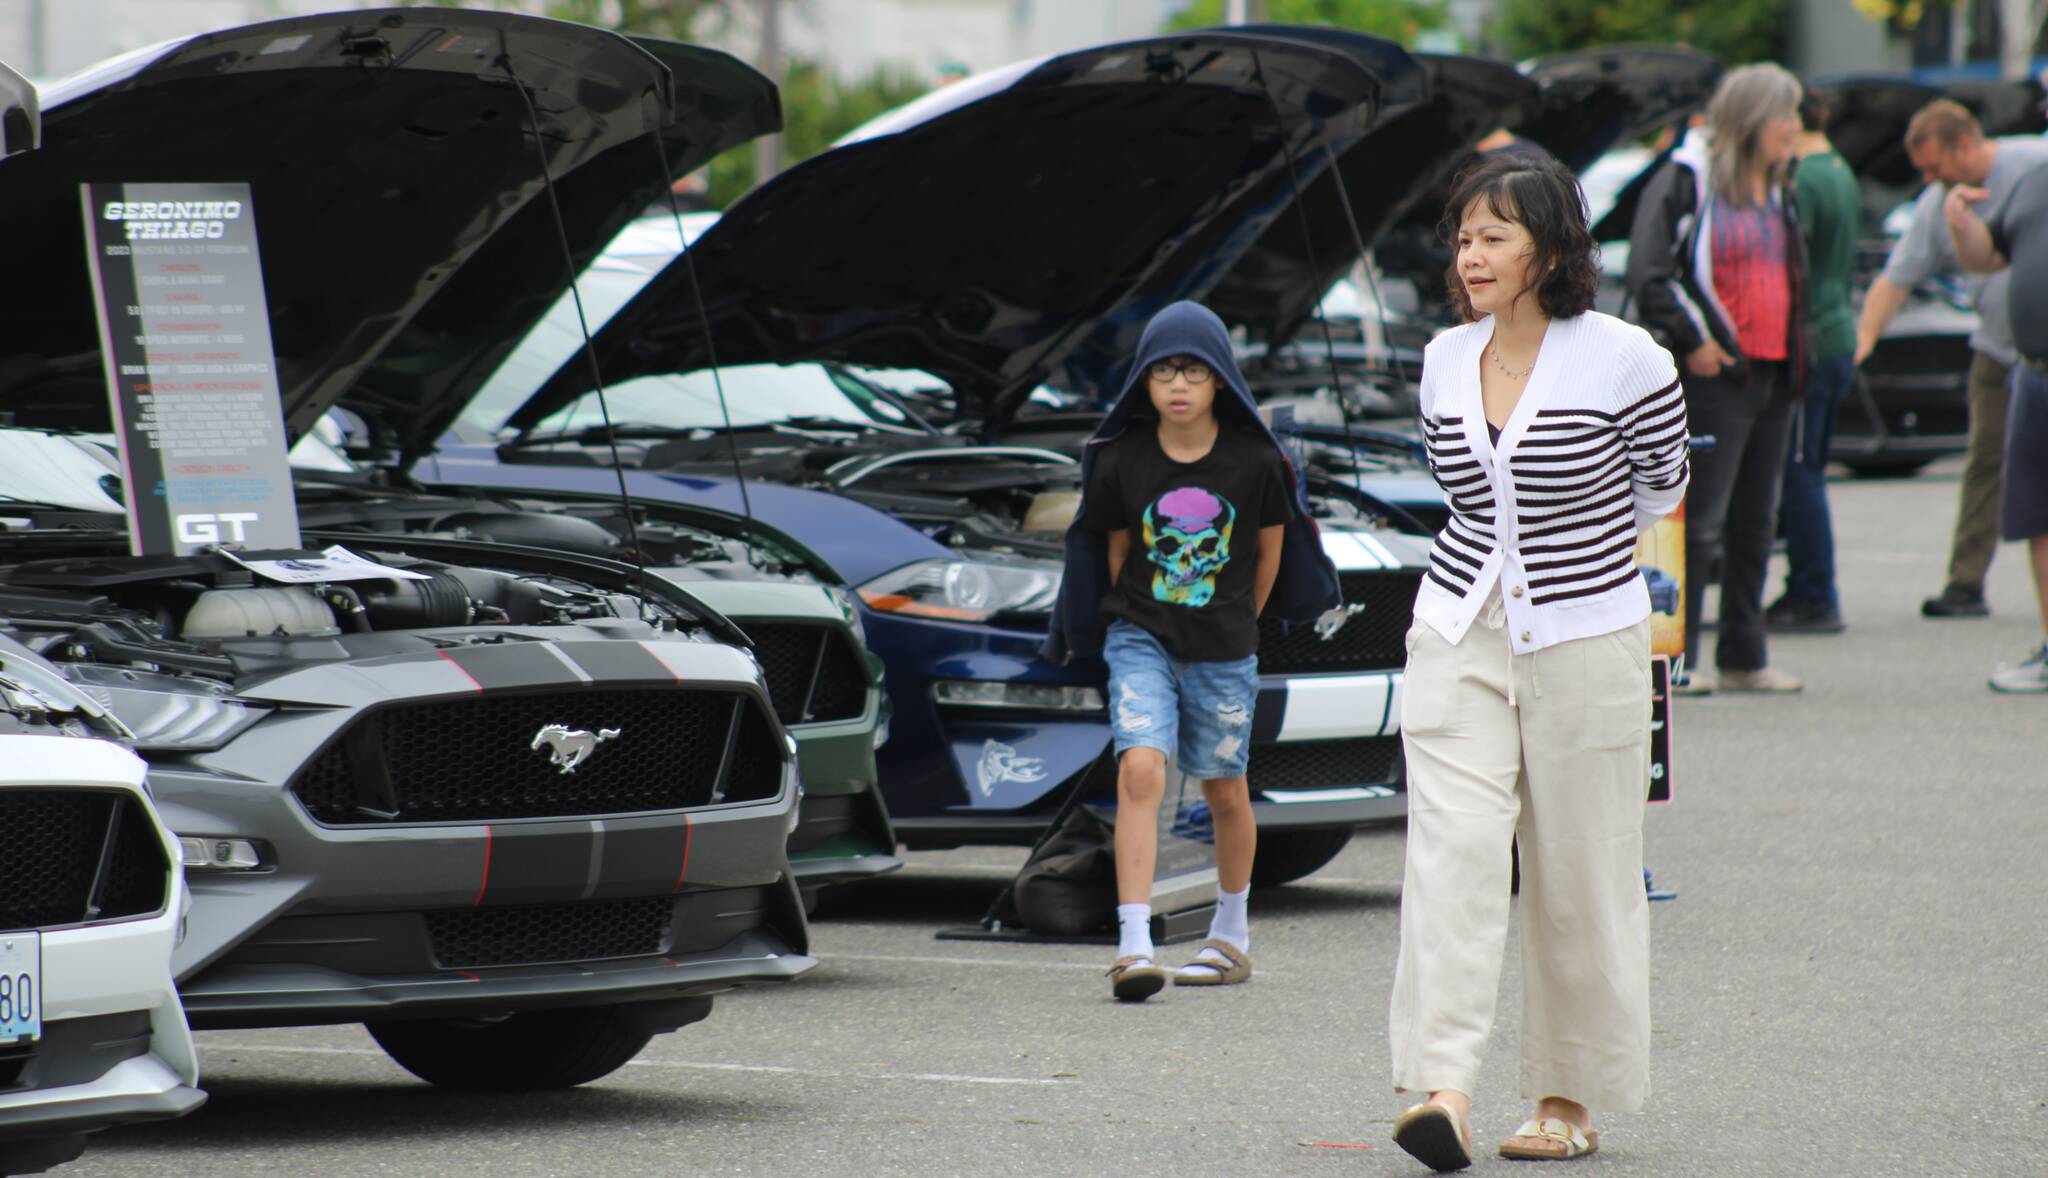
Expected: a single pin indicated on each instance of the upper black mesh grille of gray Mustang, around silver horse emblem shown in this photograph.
(476, 759)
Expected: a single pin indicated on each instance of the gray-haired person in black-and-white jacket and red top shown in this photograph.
(1717, 269)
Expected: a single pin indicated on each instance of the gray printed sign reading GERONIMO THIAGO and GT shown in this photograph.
(185, 337)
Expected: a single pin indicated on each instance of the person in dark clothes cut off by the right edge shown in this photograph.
(2016, 241)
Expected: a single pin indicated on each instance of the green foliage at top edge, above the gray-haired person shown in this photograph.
(1730, 30)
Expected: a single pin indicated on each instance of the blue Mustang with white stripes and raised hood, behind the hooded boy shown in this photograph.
(953, 546)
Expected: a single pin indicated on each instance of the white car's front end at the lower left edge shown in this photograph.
(91, 900)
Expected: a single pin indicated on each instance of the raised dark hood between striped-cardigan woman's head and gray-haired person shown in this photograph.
(1596, 99)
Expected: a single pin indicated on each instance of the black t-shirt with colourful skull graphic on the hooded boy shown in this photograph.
(1195, 538)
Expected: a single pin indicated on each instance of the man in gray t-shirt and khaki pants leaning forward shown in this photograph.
(1951, 149)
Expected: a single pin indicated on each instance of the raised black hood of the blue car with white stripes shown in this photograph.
(988, 228)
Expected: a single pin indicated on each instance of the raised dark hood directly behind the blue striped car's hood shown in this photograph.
(1392, 173)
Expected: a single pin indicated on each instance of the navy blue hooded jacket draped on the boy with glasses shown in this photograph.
(1308, 583)
